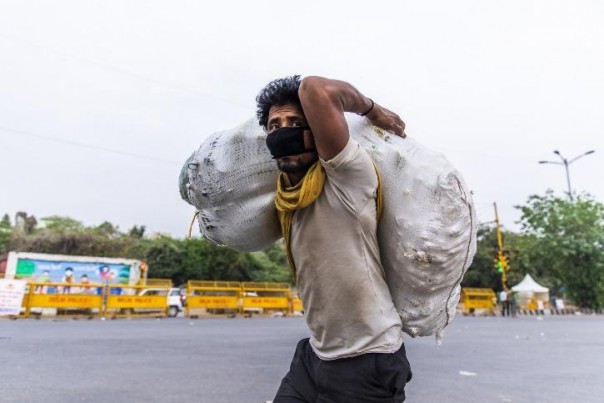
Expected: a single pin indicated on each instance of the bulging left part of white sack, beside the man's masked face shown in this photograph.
(232, 180)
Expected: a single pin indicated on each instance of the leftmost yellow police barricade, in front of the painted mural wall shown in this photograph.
(49, 298)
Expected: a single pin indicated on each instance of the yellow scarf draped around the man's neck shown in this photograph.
(291, 198)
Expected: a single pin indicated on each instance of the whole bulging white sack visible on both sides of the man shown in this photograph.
(427, 234)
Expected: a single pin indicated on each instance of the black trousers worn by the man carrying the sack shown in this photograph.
(367, 378)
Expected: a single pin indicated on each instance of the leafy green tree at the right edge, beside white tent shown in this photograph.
(566, 238)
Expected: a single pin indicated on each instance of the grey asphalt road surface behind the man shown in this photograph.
(554, 359)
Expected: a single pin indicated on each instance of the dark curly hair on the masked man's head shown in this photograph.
(279, 92)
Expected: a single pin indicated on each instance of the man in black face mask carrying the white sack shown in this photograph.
(329, 203)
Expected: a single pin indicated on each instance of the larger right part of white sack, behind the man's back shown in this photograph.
(427, 234)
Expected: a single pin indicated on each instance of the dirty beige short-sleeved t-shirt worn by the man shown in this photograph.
(347, 304)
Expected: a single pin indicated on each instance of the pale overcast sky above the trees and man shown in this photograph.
(102, 101)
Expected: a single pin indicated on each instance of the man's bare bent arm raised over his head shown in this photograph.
(324, 102)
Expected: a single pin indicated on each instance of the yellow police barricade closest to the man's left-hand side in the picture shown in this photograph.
(262, 297)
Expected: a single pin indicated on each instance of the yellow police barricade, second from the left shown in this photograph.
(137, 300)
